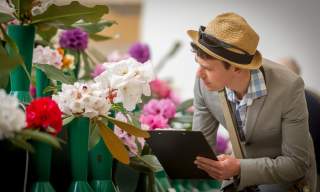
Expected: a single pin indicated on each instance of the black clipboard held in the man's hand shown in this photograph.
(177, 151)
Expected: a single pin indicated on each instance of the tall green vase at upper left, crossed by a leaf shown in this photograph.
(24, 39)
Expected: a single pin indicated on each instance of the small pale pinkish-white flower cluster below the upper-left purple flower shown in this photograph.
(46, 55)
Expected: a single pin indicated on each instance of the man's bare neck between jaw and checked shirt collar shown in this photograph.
(241, 84)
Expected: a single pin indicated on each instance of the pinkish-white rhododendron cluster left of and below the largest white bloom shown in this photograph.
(86, 99)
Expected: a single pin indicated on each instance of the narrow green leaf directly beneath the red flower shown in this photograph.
(40, 136)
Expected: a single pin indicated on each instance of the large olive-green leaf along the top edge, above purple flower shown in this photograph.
(71, 13)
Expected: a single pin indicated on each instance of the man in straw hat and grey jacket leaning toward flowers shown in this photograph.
(268, 103)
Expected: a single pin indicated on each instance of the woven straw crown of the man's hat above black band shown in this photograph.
(233, 29)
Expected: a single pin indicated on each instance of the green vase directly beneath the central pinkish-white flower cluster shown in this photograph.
(78, 131)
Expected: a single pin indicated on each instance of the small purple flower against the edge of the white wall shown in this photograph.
(140, 52)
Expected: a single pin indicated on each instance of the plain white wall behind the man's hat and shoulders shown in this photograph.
(286, 28)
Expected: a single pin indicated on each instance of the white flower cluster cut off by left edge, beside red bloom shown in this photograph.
(12, 118)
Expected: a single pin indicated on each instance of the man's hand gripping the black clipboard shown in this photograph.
(225, 168)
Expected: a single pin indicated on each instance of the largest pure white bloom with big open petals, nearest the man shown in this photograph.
(129, 78)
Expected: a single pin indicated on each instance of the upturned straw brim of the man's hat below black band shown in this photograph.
(255, 63)
